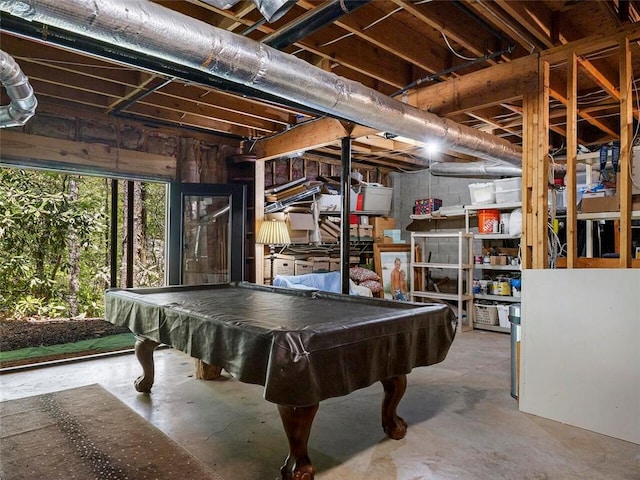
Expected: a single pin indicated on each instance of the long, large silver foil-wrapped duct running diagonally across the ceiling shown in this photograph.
(162, 33)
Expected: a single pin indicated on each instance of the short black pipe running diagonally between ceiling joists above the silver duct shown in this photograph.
(312, 20)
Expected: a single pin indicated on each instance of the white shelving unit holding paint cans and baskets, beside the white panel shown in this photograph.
(495, 276)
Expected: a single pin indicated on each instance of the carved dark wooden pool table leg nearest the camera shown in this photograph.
(297, 423)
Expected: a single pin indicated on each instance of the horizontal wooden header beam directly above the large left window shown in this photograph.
(91, 158)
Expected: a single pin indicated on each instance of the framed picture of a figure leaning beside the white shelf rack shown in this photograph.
(384, 258)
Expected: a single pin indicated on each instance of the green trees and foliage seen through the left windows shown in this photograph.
(38, 220)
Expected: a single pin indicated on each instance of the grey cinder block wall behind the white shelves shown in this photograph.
(409, 187)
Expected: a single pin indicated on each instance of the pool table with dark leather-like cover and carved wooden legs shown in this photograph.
(302, 346)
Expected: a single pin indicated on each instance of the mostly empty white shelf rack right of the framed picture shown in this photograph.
(460, 268)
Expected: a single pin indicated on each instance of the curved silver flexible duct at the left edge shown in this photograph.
(23, 101)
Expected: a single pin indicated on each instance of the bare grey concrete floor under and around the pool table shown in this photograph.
(463, 424)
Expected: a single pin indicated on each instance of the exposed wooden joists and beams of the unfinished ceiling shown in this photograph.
(466, 60)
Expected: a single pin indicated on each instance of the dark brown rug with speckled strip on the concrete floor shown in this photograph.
(86, 433)
